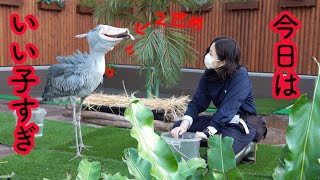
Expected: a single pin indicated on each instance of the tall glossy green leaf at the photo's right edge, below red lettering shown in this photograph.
(303, 137)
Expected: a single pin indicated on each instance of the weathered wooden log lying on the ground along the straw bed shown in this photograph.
(99, 117)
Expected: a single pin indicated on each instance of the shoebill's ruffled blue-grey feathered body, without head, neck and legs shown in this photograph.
(76, 75)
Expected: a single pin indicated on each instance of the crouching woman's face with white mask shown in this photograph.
(211, 59)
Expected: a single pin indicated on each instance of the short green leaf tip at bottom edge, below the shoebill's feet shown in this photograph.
(89, 170)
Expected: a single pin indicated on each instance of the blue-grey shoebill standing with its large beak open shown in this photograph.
(78, 75)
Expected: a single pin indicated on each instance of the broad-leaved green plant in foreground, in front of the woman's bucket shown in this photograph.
(153, 158)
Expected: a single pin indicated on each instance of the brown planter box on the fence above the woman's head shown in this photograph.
(242, 4)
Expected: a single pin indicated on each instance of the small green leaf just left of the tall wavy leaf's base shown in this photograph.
(137, 166)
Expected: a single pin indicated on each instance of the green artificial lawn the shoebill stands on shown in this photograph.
(52, 152)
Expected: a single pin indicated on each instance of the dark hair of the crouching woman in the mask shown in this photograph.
(227, 49)
